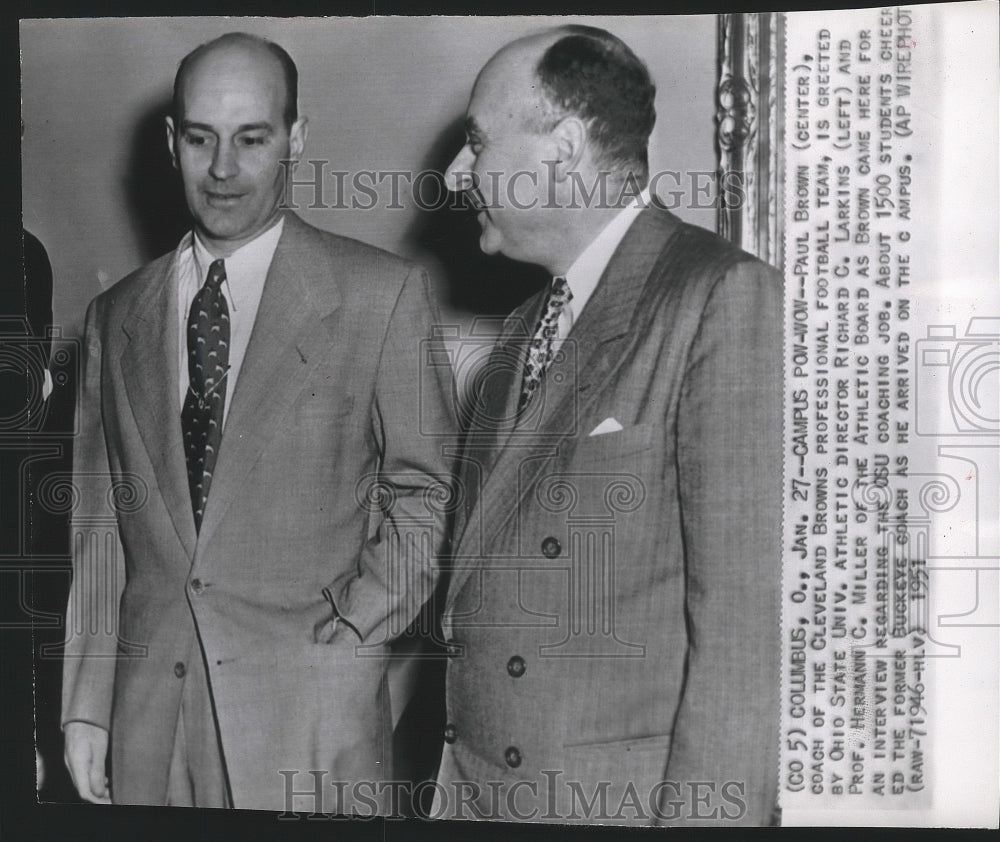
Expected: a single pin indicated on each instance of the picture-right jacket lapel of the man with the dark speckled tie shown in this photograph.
(290, 337)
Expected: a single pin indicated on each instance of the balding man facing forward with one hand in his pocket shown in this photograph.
(246, 426)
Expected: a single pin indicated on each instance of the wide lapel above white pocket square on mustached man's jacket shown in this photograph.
(594, 348)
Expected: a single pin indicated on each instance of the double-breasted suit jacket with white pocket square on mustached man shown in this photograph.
(613, 616)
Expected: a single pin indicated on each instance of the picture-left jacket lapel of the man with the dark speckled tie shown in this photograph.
(150, 371)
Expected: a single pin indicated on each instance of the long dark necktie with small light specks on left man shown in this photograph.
(208, 364)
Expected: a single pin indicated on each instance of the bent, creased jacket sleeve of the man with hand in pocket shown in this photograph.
(415, 425)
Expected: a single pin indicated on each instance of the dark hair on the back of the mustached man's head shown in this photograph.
(594, 75)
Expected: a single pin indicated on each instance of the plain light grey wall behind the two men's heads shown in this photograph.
(380, 93)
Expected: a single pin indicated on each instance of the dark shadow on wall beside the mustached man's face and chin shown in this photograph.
(448, 236)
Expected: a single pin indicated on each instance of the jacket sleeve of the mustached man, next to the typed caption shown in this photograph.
(729, 440)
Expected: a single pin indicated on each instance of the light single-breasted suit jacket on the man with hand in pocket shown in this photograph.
(321, 477)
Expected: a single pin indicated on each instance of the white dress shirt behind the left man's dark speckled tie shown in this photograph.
(246, 271)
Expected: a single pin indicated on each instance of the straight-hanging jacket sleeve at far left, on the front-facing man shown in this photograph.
(98, 559)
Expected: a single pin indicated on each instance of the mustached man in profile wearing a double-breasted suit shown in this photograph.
(613, 614)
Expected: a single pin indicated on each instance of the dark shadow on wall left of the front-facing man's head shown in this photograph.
(152, 186)
